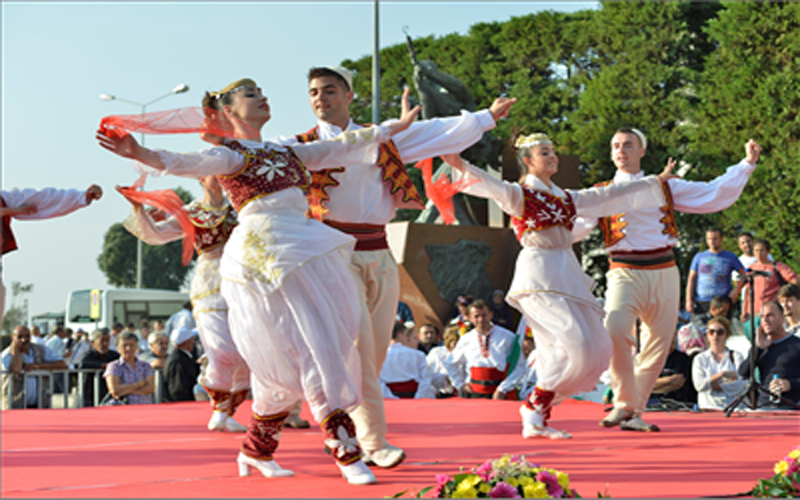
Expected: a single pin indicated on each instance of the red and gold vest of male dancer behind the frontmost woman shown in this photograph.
(389, 161)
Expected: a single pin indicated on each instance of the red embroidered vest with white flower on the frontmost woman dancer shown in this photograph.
(265, 171)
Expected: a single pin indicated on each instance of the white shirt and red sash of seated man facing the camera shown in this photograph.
(481, 361)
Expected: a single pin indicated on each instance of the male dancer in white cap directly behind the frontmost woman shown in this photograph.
(360, 199)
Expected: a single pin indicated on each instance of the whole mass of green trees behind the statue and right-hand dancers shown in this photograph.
(699, 78)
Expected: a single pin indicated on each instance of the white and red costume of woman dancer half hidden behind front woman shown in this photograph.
(226, 378)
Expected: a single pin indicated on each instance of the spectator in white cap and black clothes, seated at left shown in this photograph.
(182, 369)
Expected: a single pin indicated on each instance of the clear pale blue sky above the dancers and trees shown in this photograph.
(58, 57)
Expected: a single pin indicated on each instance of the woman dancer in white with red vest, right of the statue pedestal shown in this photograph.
(549, 287)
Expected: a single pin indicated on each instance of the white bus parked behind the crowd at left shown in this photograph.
(121, 306)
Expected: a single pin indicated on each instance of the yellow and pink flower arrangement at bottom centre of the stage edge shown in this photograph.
(508, 477)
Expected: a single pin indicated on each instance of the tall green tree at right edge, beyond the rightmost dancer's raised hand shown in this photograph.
(751, 89)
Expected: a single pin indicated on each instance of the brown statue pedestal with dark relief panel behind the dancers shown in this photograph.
(437, 262)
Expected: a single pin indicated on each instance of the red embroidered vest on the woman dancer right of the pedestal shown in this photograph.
(543, 211)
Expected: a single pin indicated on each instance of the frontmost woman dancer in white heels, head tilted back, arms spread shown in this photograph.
(285, 277)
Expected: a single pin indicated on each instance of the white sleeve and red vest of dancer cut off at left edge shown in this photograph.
(49, 203)
